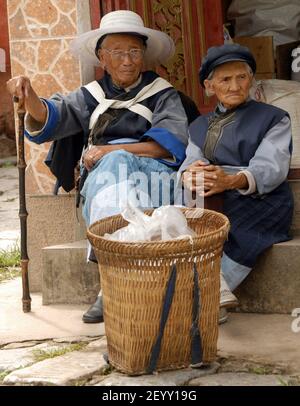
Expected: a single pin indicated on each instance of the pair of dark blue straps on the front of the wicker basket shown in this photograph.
(195, 333)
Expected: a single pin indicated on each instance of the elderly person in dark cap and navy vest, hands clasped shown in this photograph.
(242, 150)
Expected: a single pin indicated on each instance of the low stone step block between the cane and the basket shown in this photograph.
(67, 277)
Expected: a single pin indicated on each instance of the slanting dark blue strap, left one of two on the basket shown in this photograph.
(164, 317)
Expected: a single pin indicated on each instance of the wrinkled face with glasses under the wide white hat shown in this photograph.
(121, 55)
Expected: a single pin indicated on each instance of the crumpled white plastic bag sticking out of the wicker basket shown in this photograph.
(166, 223)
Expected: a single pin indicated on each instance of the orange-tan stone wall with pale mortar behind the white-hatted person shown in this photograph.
(40, 33)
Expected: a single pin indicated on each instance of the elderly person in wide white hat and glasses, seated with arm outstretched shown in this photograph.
(131, 121)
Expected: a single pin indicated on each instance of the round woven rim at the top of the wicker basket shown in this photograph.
(145, 244)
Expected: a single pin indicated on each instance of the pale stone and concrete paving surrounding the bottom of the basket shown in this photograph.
(253, 349)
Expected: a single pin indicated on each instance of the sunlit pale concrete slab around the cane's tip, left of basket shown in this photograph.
(43, 322)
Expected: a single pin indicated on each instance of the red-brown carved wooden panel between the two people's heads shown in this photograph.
(194, 25)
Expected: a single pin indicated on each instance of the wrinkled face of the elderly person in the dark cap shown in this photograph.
(231, 83)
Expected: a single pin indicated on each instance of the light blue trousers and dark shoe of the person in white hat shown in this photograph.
(118, 178)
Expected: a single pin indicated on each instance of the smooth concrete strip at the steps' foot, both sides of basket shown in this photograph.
(257, 337)
